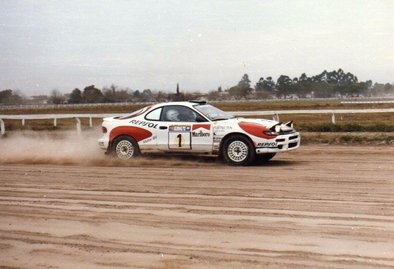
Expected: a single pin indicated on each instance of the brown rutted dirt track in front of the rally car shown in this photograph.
(321, 206)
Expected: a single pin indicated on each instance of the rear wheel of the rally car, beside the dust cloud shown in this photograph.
(125, 148)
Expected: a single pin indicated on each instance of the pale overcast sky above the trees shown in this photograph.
(201, 44)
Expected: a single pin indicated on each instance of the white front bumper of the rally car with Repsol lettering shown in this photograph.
(282, 143)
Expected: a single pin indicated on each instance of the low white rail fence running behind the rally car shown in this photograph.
(275, 114)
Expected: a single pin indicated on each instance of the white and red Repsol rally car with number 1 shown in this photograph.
(196, 127)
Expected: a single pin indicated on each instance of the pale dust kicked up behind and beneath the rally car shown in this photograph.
(69, 148)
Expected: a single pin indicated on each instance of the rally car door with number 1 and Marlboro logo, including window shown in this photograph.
(183, 129)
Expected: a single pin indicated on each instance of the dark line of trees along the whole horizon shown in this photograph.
(336, 83)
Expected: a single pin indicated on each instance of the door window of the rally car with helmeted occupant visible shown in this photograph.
(180, 114)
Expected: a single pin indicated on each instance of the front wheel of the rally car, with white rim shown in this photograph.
(238, 150)
